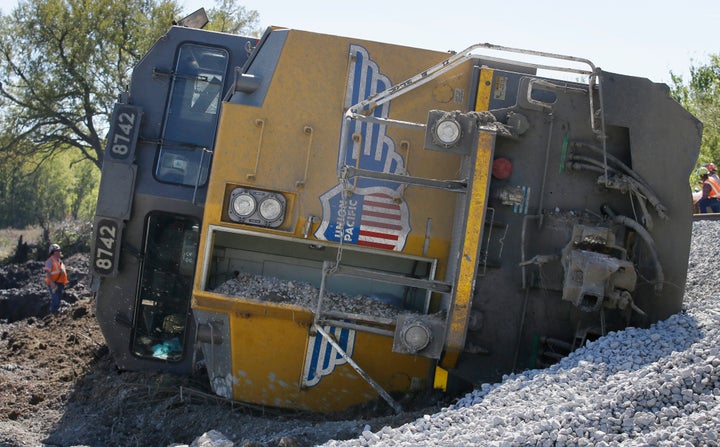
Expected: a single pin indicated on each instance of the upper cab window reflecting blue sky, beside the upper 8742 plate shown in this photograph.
(191, 116)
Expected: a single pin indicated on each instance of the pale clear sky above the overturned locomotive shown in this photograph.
(633, 37)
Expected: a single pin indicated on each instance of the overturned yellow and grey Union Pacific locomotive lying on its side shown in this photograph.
(320, 221)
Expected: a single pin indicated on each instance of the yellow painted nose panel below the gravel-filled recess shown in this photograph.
(269, 344)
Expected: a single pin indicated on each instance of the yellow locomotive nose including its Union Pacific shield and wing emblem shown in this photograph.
(289, 145)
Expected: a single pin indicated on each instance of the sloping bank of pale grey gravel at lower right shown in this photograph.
(637, 387)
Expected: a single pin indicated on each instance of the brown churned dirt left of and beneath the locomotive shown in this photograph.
(59, 385)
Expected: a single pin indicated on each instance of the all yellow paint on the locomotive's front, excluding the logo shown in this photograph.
(269, 147)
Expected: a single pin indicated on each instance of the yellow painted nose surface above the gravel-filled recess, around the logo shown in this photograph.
(296, 101)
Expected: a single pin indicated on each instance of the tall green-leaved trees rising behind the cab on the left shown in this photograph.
(63, 63)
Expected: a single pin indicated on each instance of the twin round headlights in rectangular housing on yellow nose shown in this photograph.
(257, 207)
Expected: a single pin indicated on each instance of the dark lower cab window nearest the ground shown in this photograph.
(163, 304)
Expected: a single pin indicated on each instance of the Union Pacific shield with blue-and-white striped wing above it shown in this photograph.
(375, 214)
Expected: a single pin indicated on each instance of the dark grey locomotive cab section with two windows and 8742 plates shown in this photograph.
(153, 187)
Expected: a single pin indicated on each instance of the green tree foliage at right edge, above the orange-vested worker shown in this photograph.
(700, 95)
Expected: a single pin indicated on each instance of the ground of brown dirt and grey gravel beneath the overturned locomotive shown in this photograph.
(637, 387)
